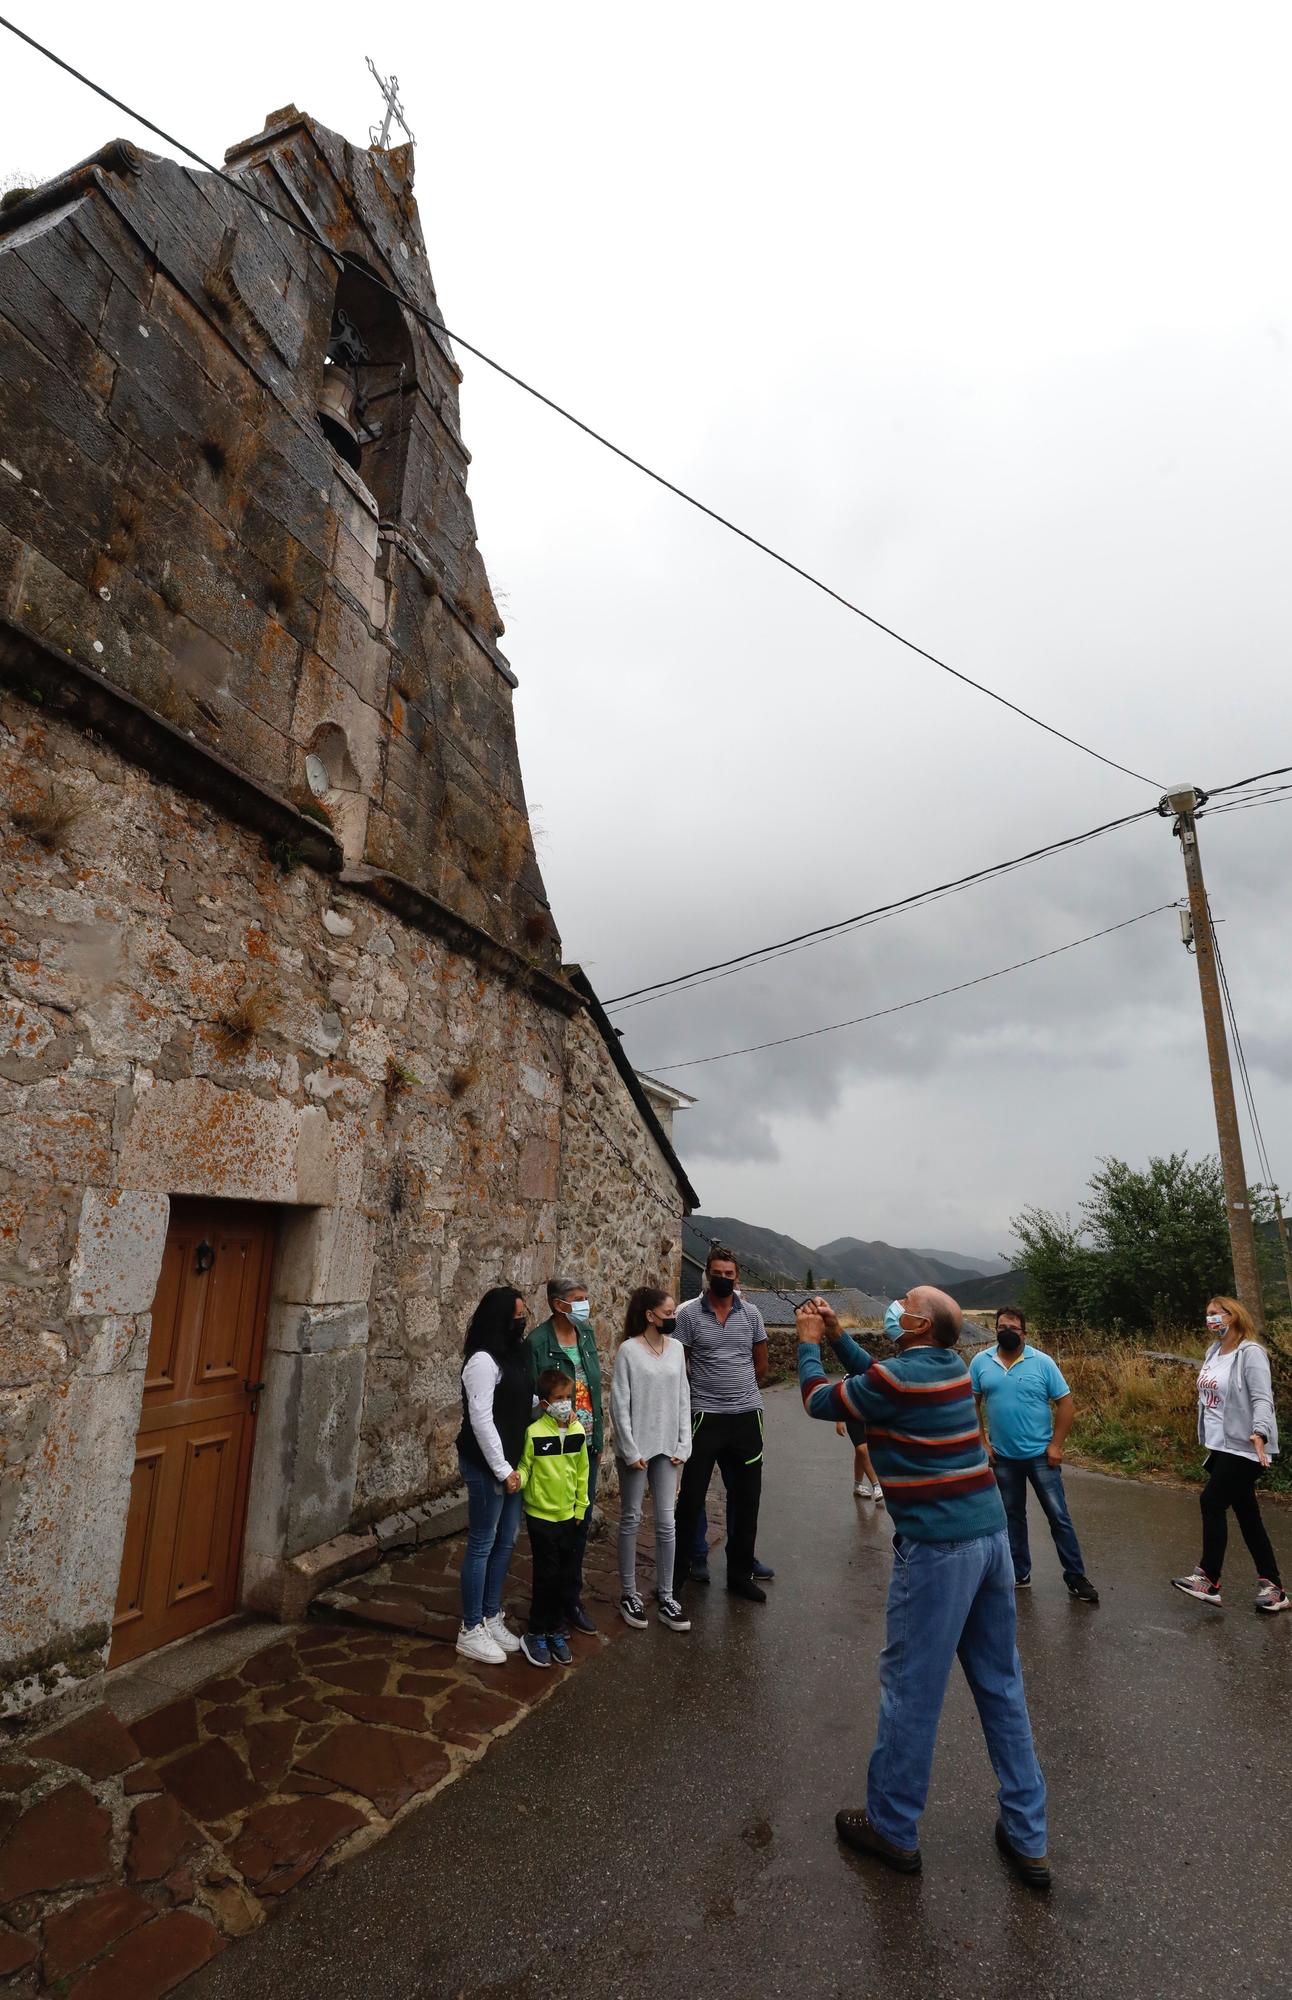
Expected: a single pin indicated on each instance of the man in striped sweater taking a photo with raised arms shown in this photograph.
(953, 1581)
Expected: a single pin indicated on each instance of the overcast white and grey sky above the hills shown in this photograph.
(981, 313)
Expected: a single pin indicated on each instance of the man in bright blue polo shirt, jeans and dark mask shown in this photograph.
(1015, 1387)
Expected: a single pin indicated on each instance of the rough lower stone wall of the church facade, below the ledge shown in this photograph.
(183, 1017)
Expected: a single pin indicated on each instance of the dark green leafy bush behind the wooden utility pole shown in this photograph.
(1149, 1249)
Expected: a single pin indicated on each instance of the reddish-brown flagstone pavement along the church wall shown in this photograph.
(131, 1855)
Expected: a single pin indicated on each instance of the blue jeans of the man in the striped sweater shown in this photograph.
(953, 1601)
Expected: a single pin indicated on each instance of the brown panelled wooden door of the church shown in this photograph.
(193, 1453)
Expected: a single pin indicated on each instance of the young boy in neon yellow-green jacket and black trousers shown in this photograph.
(555, 1485)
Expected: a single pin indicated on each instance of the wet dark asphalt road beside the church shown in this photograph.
(665, 1827)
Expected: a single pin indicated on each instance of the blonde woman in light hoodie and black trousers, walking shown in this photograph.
(1241, 1433)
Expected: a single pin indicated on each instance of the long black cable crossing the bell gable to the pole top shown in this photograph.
(639, 465)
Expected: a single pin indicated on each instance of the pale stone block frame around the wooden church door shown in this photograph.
(193, 1139)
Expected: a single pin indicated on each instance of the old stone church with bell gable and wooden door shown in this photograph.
(293, 1069)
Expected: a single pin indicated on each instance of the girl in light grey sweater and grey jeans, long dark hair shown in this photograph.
(651, 1413)
